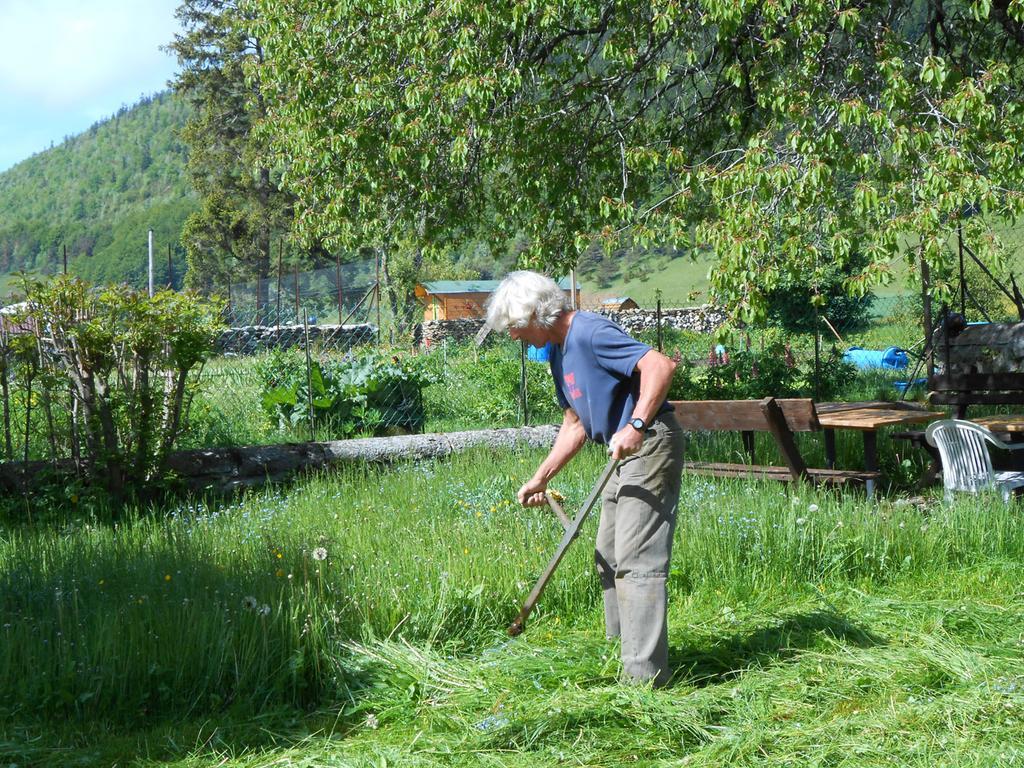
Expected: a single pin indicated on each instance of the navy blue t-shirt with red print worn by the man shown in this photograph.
(595, 374)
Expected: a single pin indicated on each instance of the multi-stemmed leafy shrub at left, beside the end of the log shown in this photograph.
(131, 363)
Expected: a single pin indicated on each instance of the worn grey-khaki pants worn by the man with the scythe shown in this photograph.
(634, 547)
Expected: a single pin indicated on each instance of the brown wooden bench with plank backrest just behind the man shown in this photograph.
(780, 417)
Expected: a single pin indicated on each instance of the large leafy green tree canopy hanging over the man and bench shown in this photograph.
(790, 138)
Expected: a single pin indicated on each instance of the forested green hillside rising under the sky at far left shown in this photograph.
(99, 193)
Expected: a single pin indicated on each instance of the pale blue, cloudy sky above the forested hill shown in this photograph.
(67, 64)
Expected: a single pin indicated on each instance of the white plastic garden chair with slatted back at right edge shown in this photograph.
(966, 463)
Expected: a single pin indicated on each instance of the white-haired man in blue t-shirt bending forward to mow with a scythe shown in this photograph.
(613, 391)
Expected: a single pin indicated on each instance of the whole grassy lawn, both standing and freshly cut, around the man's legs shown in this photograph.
(807, 628)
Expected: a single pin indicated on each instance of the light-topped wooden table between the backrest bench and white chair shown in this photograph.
(868, 418)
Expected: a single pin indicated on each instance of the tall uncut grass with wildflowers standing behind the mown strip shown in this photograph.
(203, 610)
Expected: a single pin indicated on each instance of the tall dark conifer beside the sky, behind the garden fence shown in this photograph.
(242, 207)
